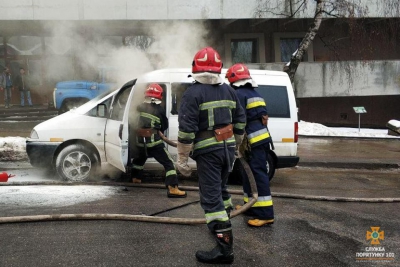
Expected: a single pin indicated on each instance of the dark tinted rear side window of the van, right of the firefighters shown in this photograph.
(277, 100)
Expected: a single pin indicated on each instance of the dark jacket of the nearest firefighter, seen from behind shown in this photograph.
(207, 107)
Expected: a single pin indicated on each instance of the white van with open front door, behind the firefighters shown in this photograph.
(107, 137)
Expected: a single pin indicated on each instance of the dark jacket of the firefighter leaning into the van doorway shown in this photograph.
(152, 116)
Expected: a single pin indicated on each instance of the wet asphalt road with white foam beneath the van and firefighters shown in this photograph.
(306, 232)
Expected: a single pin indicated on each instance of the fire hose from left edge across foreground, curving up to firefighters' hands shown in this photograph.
(141, 218)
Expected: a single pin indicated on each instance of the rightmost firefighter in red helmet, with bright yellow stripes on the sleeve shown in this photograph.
(257, 143)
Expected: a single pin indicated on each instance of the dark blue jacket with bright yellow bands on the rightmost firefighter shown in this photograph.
(255, 106)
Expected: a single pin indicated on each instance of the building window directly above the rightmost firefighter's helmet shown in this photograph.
(244, 48)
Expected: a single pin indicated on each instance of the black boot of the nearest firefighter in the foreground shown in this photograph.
(223, 252)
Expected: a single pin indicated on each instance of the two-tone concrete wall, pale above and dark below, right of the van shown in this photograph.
(327, 92)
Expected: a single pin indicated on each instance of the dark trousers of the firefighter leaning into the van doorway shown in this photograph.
(161, 154)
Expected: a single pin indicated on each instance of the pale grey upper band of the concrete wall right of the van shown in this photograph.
(345, 78)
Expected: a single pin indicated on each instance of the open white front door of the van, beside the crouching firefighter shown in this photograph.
(117, 129)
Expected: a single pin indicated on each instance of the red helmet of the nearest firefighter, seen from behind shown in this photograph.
(207, 60)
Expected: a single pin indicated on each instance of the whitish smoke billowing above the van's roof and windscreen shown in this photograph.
(91, 48)
